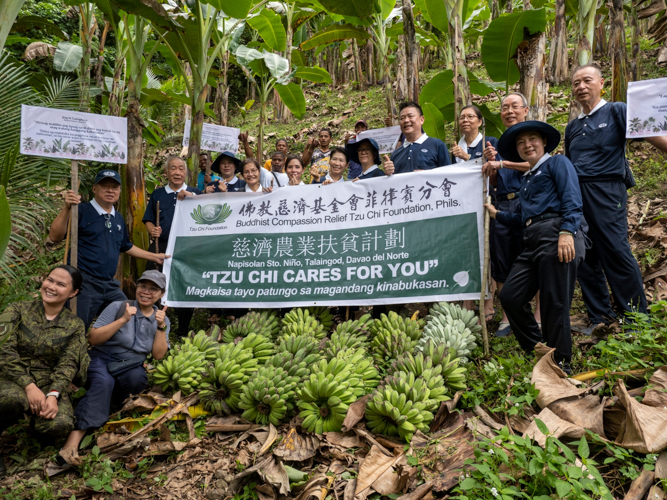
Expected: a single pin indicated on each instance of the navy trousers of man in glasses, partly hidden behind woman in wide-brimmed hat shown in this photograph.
(505, 241)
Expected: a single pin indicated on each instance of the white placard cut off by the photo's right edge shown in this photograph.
(647, 108)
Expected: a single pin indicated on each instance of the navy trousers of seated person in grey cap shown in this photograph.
(93, 410)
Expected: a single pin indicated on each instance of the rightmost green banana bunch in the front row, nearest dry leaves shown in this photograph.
(394, 414)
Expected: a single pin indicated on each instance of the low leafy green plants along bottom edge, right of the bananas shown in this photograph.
(514, 467)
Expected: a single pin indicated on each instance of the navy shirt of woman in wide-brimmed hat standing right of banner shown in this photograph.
(551, 186)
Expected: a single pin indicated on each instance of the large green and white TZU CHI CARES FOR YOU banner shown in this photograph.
(414, 237)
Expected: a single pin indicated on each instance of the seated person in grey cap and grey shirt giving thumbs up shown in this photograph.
(122, 337)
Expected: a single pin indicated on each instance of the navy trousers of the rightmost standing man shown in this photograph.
(610, 259)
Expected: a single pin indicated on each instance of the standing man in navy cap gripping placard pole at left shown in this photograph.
(102, 236)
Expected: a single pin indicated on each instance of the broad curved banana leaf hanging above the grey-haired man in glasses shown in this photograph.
(501, 40)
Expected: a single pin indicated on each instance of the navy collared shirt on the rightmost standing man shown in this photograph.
(595, 143)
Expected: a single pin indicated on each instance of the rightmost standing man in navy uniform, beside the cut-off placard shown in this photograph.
(595, 143)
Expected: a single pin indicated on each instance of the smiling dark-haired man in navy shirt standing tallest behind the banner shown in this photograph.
(418, 151)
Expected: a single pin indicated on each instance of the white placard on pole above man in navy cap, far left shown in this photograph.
(58, 133)
